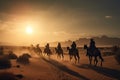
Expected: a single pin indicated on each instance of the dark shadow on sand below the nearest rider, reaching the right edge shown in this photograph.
(103, 70)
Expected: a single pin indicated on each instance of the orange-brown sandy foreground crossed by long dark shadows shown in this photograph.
(43, 68)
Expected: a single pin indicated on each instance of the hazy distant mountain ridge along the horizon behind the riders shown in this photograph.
(103, 41)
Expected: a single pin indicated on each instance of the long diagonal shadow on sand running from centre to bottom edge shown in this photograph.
(65, 69)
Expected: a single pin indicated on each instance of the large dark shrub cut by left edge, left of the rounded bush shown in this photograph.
(4, 62)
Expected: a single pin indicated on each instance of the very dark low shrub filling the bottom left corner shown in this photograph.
(7, 76)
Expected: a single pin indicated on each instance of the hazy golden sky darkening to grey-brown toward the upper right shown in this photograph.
(57, 20)
